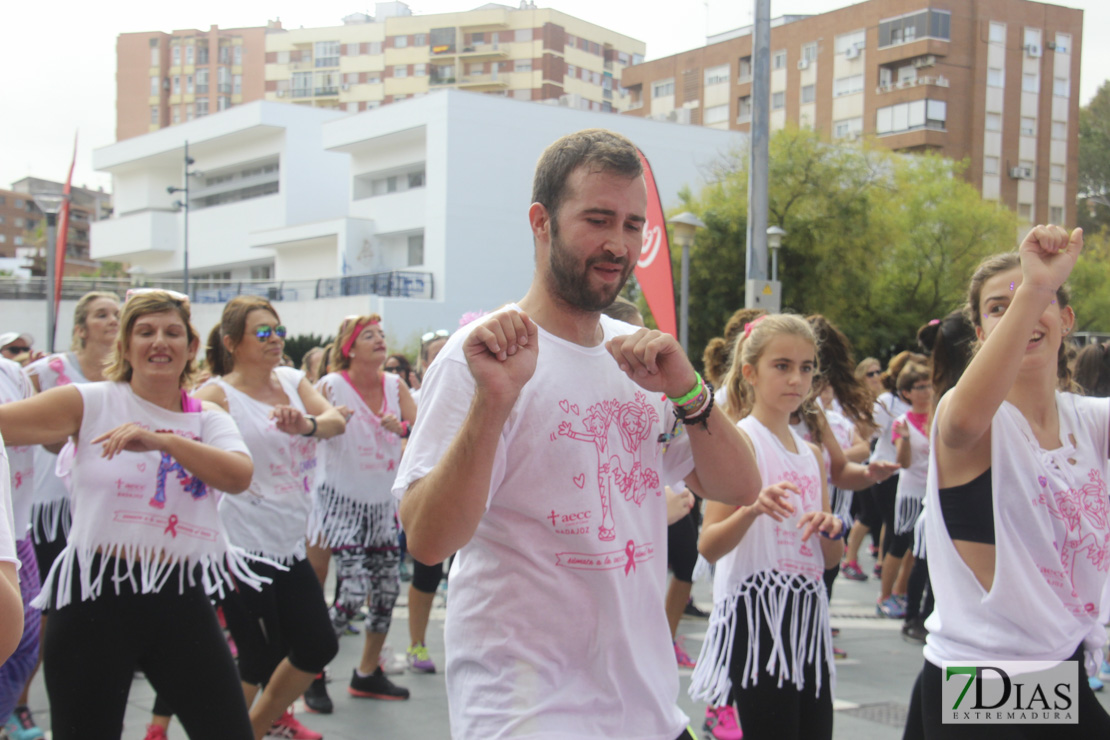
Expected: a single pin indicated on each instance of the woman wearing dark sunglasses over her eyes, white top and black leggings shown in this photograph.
(282, 632)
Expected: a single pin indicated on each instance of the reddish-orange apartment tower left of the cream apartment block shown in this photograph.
(164, 79)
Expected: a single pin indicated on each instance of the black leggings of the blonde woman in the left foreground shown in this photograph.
(94, 648)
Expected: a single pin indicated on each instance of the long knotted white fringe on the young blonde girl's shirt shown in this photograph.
(765, 599)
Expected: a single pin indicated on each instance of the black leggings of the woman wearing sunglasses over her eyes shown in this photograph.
(287, 619)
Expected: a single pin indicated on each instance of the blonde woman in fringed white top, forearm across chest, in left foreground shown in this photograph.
(128, 592)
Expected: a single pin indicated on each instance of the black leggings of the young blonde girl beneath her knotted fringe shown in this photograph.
(765, 709)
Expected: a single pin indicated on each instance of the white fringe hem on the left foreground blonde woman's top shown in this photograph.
(155, 569)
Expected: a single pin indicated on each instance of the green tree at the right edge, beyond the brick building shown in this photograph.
(1095, 161)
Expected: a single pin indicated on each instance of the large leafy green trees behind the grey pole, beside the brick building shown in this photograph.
(876, 241)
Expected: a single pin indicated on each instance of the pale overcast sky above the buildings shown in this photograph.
(62, 56)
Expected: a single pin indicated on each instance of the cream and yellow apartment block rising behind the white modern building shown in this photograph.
(526, 54)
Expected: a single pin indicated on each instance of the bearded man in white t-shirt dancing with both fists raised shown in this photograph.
(541, 453)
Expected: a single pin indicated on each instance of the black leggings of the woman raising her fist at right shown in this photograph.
(925, 719)
